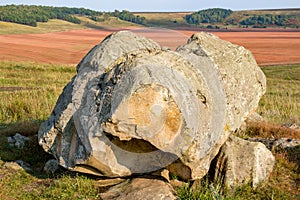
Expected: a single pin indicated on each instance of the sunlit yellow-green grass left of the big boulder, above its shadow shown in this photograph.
(29, 90)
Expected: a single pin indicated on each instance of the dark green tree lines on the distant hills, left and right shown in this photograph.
(30, 15)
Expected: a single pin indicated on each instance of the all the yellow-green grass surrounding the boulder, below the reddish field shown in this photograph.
(28, 93)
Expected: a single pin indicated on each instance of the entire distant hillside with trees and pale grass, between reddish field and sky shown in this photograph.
(215, 18)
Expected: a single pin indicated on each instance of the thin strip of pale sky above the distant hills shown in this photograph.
(162, 5)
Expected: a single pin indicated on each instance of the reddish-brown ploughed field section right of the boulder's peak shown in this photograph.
(268, 48)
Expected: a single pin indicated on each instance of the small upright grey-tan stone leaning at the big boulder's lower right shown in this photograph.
(240, 162)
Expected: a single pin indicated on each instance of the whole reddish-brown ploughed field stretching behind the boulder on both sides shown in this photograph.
(70, 47)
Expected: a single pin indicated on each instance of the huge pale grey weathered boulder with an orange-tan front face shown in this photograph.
(134, 108)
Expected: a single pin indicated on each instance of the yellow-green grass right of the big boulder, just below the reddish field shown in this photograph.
(281, 103)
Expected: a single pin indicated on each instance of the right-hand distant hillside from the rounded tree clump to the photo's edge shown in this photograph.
(255, 19)
